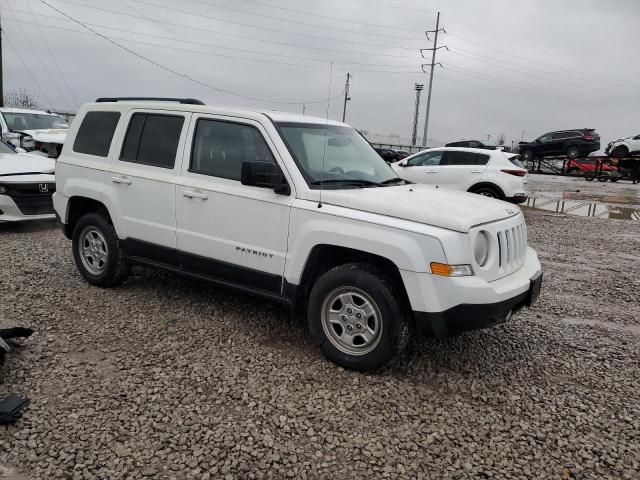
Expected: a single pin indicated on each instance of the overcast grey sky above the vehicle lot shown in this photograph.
(530, 65)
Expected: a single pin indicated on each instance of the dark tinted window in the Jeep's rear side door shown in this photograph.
(152, 139)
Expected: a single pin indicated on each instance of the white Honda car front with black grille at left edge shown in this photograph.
(27, 184)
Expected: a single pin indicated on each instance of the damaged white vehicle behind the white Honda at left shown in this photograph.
(38, 132)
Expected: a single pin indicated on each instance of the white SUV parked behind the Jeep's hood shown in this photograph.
(492, 173)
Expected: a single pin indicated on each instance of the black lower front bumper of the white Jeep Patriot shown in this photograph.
(466, 317)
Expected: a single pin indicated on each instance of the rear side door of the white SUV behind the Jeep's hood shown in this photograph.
(462, 169)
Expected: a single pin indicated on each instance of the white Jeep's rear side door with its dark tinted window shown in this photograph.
(143, 182)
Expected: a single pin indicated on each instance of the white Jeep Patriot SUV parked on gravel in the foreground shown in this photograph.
(297, 209)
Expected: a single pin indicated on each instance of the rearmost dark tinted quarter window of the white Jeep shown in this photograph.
(95, 133)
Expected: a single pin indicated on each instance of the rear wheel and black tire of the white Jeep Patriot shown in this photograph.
(115, 267)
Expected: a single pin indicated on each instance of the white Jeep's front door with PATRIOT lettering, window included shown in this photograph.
(227, 231)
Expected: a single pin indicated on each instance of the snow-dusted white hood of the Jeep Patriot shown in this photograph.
(450, 209)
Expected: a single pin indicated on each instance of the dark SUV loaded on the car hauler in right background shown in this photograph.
(572, 143)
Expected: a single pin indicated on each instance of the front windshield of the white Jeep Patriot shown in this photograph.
(349, 160)
